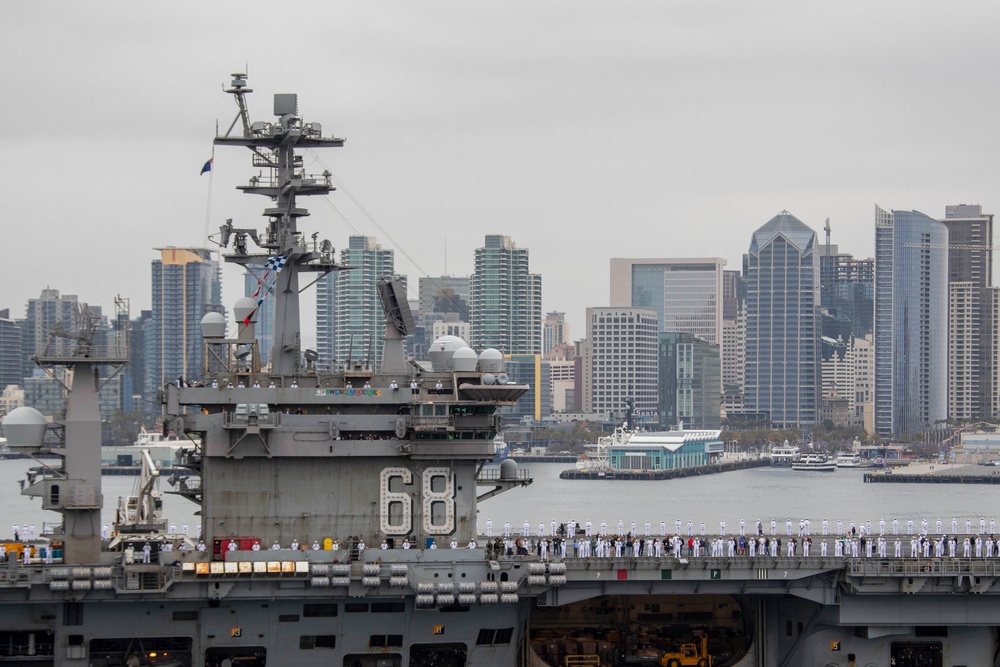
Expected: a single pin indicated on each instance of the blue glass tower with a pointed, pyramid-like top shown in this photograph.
(783, 328)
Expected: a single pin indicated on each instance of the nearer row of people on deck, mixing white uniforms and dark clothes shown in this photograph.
(738, 546)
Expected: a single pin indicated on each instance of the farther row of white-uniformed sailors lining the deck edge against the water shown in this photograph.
(804, 528)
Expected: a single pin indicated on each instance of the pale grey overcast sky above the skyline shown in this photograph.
(583, 130)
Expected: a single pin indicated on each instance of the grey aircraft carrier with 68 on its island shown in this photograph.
(333, 460)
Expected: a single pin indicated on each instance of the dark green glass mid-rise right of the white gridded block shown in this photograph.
(689, 387)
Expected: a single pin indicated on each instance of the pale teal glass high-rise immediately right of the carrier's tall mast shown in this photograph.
(349, 318)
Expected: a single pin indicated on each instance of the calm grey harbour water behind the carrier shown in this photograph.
(761, 493)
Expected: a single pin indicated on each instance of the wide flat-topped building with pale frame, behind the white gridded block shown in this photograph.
(685, 292)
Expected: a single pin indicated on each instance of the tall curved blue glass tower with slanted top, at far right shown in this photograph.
(911, 322)
